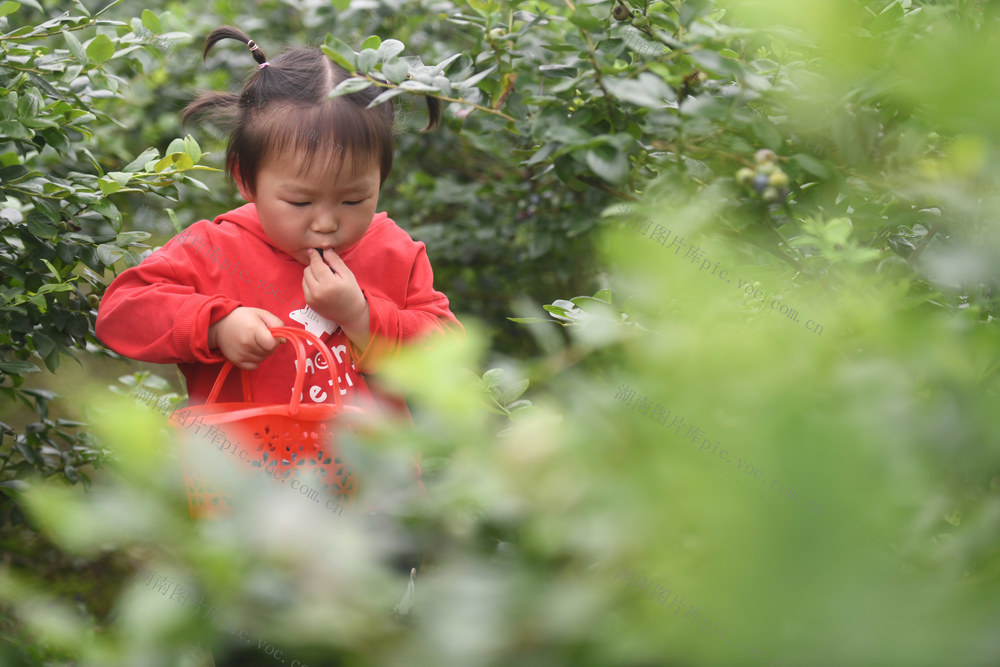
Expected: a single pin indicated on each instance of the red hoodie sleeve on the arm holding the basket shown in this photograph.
(156, 312)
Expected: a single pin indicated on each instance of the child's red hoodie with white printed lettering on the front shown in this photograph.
(160, 311)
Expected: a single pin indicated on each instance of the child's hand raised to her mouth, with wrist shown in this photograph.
(332, 291)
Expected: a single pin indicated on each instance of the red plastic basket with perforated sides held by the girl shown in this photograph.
(283, 439)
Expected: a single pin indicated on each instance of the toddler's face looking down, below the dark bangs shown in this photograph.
(322, 208)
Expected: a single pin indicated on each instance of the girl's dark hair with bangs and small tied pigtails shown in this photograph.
(284, 105)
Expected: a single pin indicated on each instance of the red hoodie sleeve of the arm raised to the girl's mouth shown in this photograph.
(424, 312)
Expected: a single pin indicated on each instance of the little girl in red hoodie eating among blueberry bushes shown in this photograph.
(308, 250)
